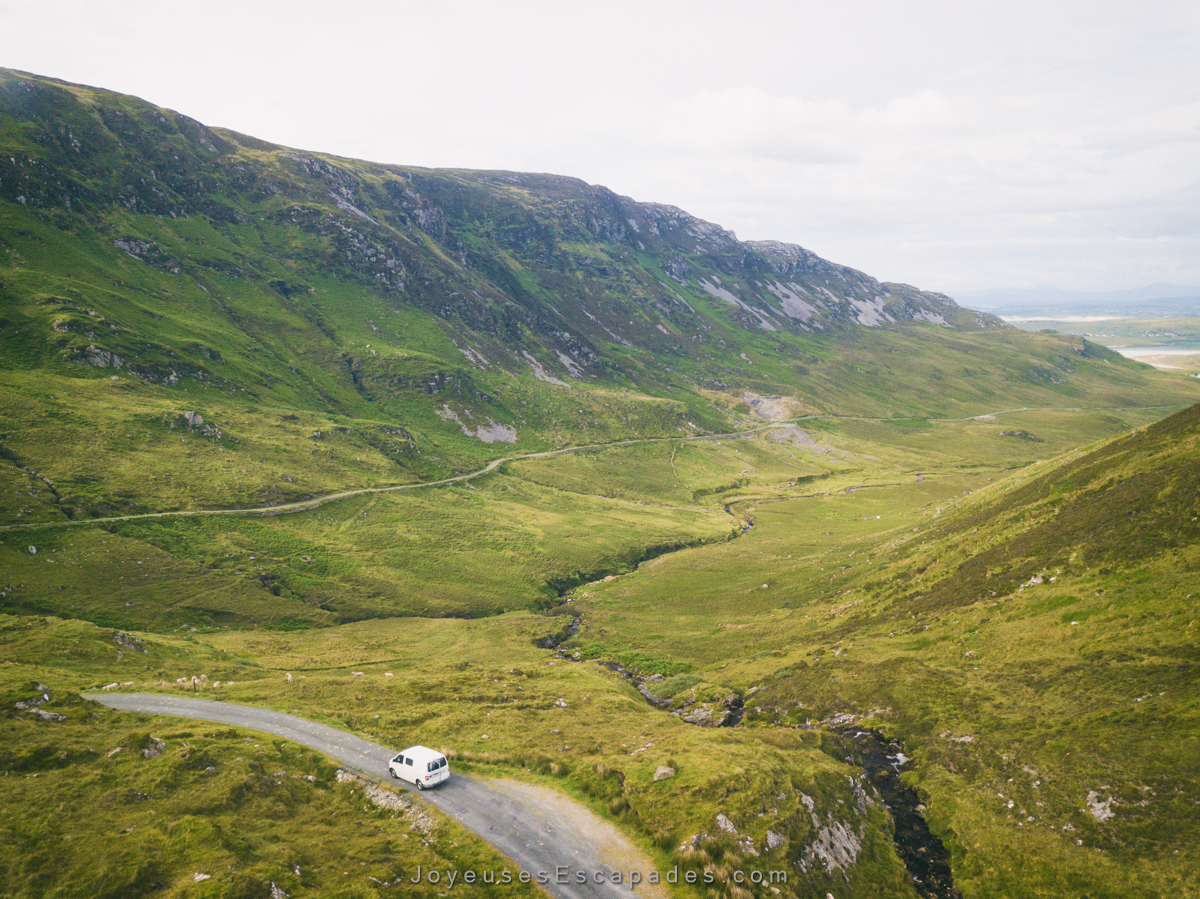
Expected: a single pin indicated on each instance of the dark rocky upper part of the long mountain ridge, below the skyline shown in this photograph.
(494, 253)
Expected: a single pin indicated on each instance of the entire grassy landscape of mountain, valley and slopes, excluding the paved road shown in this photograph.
(907, 535)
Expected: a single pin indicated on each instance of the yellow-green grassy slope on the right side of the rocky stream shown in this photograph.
(1033, 644)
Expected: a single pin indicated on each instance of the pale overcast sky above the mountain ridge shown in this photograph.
(953, 146)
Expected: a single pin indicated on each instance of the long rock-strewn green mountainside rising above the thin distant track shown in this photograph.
(340, 323)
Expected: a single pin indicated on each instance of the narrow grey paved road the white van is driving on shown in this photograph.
(535, 828)
